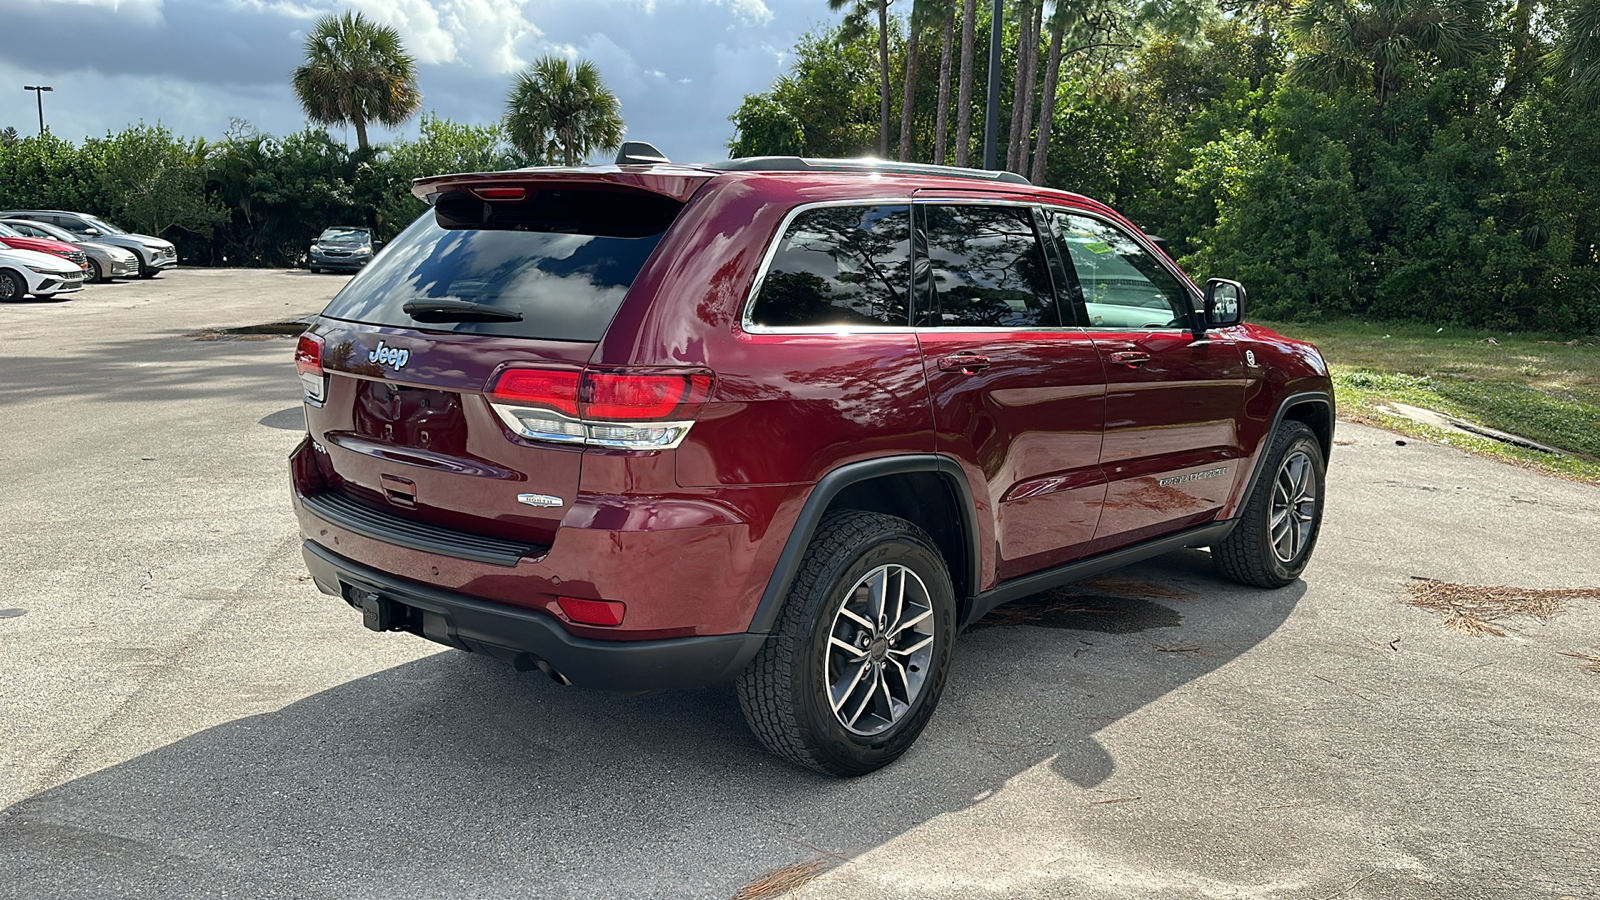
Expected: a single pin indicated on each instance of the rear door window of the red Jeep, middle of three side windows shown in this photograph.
(986, 270)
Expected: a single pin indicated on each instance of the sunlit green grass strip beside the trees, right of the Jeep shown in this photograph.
(1542, 387)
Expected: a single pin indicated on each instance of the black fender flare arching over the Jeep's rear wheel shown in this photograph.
(823, 496)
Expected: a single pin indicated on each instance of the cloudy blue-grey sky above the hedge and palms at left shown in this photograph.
(679, 66)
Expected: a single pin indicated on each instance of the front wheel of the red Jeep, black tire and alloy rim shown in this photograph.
(1258, 555)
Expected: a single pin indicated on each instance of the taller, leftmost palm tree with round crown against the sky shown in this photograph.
(356, 73)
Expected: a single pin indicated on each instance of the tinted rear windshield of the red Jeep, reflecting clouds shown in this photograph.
(554, 271)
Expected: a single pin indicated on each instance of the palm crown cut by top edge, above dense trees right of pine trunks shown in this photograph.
(1346, 42)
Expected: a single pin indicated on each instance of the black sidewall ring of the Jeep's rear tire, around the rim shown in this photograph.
(847, 750)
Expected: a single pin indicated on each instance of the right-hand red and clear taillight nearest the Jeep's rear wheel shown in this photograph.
(617, 409)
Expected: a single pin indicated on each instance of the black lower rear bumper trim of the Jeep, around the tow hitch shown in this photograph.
(508, 632)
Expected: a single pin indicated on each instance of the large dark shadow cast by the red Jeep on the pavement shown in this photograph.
(455, 776)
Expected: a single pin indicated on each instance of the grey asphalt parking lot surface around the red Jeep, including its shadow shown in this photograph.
(183, 715)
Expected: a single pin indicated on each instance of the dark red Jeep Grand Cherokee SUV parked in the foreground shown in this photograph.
(786, 422)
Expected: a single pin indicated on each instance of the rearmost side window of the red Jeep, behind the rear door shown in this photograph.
(839, 267)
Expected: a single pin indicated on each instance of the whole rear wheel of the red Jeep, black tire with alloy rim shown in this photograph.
(785, 691)
